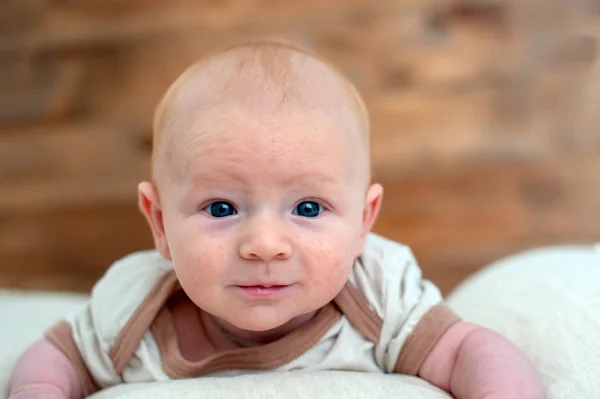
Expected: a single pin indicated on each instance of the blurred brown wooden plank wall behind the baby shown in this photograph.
(484, 113)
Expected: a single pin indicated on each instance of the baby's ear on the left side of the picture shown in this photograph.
(149, 203)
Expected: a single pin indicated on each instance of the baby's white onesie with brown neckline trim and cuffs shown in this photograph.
(386, 319)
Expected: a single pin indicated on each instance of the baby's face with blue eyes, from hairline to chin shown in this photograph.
(264, 216)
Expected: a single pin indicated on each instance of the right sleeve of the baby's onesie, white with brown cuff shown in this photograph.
(412, 309)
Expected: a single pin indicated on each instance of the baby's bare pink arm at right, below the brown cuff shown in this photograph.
(473, 362)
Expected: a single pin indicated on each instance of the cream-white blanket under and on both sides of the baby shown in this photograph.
(546, 301)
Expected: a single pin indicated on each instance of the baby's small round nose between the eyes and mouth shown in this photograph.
(265, 240)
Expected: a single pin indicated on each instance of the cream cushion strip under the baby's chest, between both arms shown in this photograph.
(289, 385)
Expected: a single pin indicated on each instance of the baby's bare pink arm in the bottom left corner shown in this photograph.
(44, 371)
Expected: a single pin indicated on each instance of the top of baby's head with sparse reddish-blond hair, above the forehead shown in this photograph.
(262, 80)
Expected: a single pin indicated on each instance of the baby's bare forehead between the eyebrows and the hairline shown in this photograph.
(278, 147)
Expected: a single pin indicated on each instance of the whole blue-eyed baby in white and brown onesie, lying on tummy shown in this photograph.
(261, 208)
